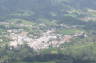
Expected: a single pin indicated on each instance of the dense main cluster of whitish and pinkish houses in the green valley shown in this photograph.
(49, 38)
